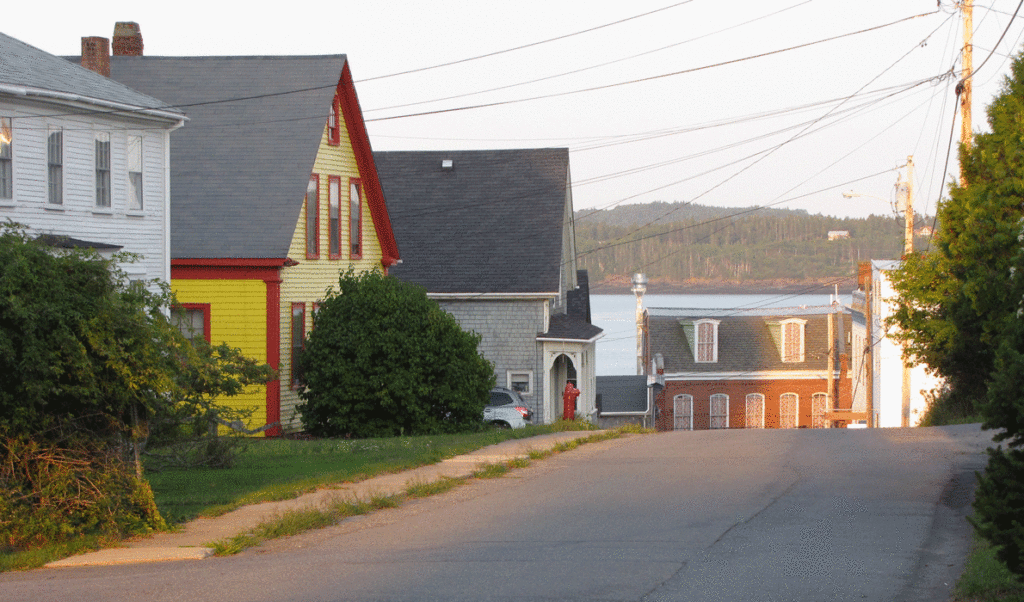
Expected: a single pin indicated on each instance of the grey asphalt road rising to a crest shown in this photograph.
(806, 515)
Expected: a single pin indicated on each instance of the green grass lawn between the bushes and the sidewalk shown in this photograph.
(281, 469)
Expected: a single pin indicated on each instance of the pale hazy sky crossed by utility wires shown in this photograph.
(727, 103)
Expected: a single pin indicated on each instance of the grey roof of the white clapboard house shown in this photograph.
(28, 71)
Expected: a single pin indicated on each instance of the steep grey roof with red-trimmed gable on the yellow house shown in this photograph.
(240, 168)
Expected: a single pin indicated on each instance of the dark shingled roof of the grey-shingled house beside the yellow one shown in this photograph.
(491, 224)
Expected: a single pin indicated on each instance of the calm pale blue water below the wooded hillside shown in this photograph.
(617, 352)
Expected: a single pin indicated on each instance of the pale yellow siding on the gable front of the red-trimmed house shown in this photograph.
(308, 282)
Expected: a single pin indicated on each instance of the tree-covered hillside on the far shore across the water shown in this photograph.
(680, 243)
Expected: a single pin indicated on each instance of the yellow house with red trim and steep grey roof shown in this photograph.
(274, 194)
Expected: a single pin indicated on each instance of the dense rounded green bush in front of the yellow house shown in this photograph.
(383, 360)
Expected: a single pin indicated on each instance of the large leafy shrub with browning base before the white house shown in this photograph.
(89, 362)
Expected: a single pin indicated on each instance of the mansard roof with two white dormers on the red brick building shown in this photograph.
(745, 342)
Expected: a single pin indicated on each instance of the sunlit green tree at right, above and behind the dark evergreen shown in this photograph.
(956, 299)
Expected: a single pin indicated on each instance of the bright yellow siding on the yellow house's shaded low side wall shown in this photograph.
(238, 317)
